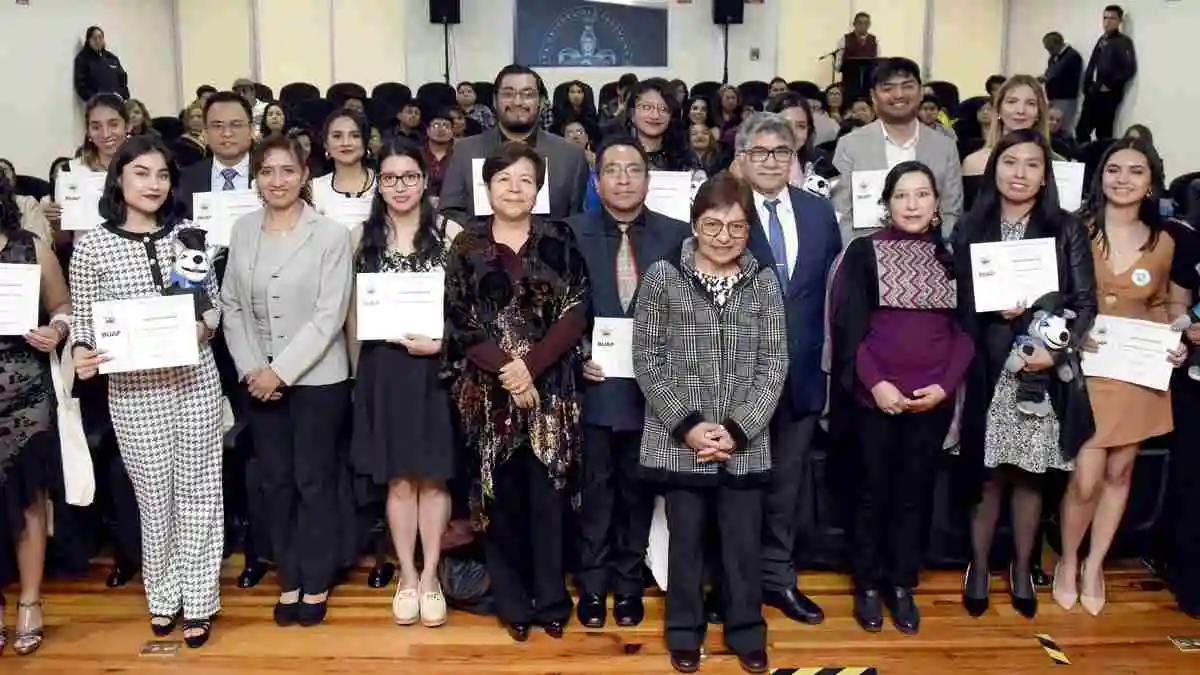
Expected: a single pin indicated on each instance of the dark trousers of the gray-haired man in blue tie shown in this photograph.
(790, 440)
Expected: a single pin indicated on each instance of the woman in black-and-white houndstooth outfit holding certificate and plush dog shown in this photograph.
(167, 419)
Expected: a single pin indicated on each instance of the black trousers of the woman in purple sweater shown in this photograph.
(896, 463)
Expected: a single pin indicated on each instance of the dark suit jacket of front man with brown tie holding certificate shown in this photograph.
(619, 404)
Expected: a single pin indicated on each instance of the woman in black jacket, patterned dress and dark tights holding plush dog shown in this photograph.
(1000, 446)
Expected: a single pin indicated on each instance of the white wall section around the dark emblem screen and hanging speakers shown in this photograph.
(483, 45)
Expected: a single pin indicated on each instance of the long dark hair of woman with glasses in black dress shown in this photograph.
(376, 230)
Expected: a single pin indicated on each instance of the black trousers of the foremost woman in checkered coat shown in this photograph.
(739, 513)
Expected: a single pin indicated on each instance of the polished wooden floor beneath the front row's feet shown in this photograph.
(93, 630)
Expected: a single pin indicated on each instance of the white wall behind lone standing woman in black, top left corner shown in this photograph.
(43, 117)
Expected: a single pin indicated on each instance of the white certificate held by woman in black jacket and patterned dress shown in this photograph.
(1006, 274)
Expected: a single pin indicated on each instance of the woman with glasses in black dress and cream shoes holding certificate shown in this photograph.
(409, 449)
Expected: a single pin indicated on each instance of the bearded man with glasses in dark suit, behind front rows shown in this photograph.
(518, 106)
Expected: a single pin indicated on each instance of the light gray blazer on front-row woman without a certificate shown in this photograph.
(310, 295)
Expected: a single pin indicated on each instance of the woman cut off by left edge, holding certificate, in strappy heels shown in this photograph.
(31, 467)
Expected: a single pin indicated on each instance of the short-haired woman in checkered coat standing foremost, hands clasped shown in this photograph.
(711, 356)
